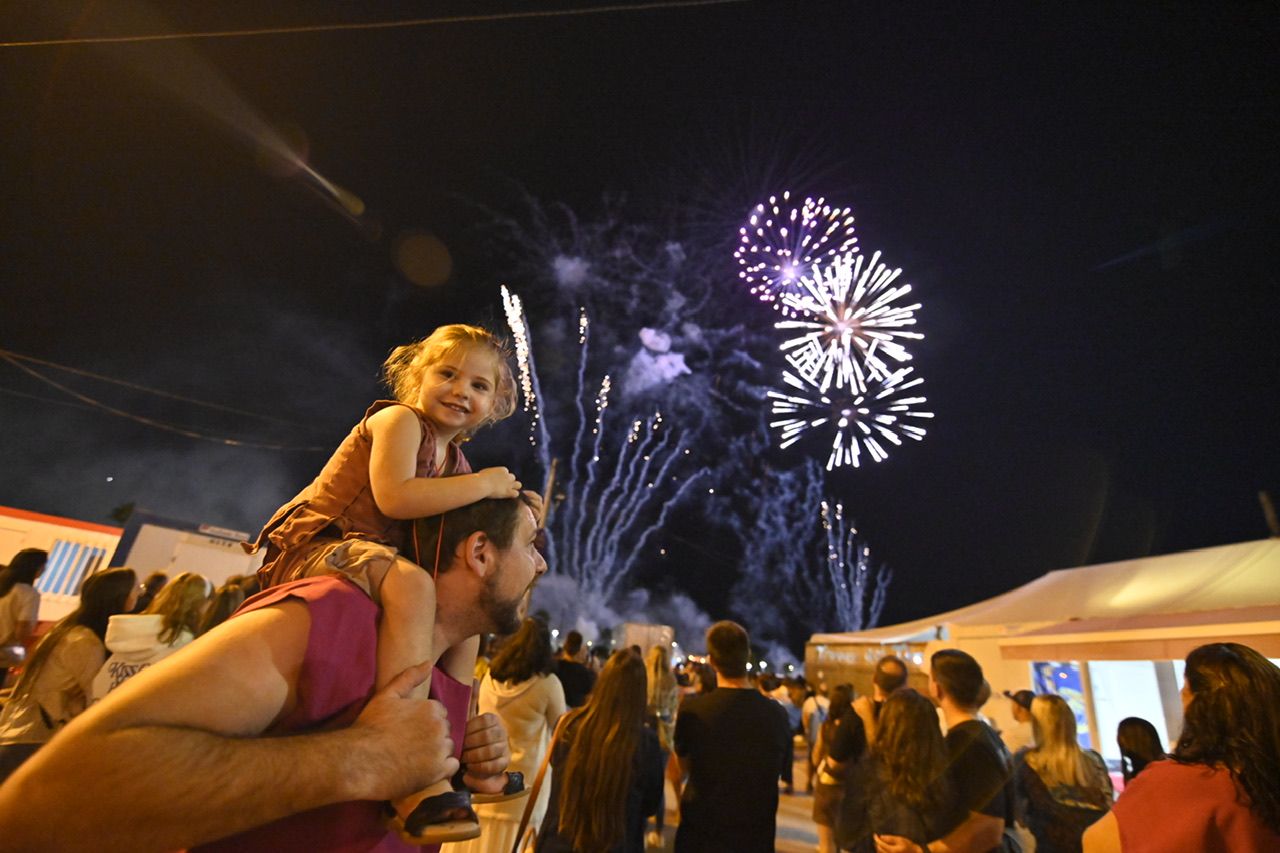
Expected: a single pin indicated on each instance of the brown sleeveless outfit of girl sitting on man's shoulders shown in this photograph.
(335, 524)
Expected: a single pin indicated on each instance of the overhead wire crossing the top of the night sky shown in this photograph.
(376, 25)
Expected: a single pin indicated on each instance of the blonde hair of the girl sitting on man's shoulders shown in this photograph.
(406, 366)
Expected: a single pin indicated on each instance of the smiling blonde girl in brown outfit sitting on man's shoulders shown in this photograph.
(403, 462)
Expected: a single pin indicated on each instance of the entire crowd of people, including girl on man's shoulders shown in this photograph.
(348, 705)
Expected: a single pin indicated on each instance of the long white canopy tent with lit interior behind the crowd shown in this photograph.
(1153, 609)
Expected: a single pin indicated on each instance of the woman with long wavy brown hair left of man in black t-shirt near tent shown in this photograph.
(902, 784)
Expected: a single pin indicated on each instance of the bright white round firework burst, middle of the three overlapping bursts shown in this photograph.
(848, 321)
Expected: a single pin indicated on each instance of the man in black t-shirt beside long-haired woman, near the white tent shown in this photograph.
(981, 768)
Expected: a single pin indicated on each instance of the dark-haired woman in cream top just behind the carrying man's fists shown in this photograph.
(522, 690)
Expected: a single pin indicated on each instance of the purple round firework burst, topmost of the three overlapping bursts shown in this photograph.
(781, 243)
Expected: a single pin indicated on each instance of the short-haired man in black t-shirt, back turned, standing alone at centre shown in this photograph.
(732, 745)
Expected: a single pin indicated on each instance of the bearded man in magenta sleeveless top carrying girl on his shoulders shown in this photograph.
(272, 728)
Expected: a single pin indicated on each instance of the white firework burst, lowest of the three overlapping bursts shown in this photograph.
(862, 419)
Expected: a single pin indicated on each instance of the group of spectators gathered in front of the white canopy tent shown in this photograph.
(903, 772)
